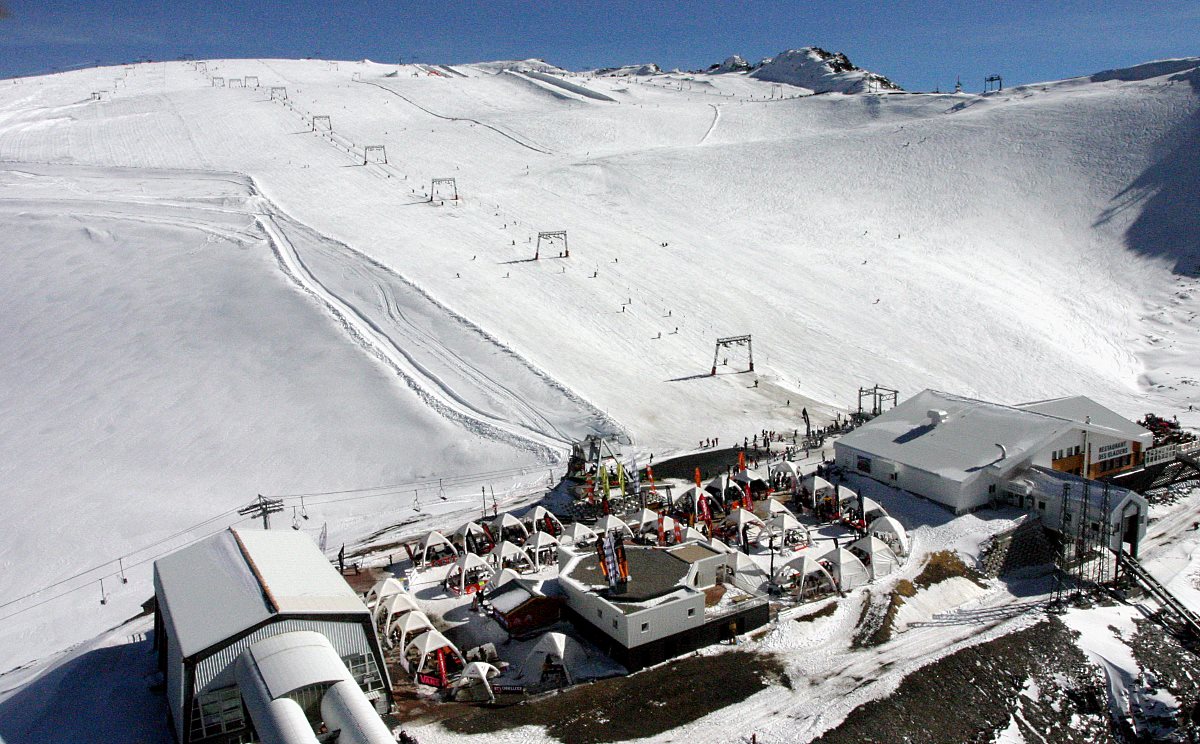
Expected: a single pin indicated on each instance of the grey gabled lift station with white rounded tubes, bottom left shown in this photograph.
(260, 639)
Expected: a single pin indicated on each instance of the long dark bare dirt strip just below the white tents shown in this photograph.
(643, 705)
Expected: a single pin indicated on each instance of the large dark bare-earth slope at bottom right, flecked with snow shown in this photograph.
(1037, 677)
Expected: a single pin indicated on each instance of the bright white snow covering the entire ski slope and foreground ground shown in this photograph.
(208, 297)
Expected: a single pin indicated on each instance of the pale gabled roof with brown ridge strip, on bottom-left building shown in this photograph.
(237, 579)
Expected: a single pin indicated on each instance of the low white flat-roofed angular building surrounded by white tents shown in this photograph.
(677, 601)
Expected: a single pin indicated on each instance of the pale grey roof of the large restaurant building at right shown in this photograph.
(964, 442)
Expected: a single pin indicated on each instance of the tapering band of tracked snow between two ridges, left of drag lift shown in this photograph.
(491, 392)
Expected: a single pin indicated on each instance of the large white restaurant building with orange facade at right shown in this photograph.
(962, 453)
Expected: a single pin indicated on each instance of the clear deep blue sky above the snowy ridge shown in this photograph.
(919, 45)
